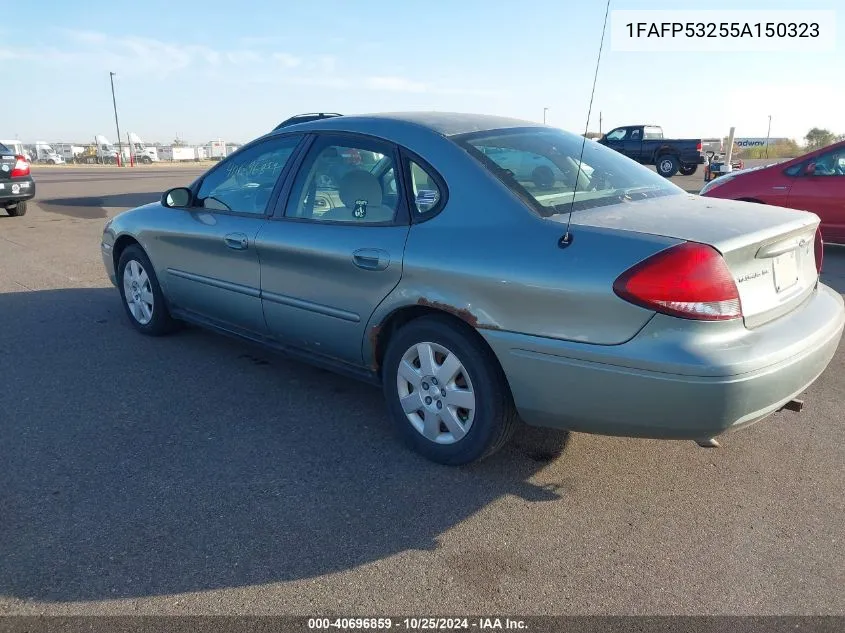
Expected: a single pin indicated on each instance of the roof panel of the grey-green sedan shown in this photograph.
(443, 123)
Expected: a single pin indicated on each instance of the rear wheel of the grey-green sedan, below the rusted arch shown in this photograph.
(472, 378)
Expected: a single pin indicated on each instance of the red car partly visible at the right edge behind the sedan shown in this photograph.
(814, 182)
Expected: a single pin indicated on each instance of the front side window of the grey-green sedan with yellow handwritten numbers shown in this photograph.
(244, 182)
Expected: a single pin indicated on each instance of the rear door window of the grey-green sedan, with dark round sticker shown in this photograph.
(349, 181)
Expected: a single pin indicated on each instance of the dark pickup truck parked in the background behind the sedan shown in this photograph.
(646, 145)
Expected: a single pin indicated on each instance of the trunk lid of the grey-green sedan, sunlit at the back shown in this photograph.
(769, 250)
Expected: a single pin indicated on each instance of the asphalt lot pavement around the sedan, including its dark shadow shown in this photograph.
(199, 474)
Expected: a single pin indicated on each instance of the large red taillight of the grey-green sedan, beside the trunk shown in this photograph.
(690, 280)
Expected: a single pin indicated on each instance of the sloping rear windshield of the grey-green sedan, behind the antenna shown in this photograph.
(541, 166)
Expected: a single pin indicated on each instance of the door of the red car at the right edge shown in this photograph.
(823, 192)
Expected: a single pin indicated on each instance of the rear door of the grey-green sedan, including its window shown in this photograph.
(334, 251)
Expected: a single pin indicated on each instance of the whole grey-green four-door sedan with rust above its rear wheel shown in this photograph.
(615, 304)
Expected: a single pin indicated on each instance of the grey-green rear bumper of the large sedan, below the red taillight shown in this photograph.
(699, 392)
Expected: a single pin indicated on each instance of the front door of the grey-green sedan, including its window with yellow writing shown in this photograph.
(208, 253)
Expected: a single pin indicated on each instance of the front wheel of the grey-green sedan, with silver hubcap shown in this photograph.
(145, 305)
